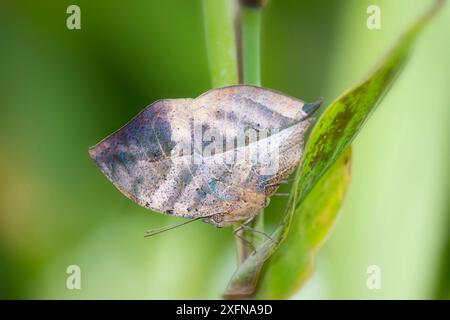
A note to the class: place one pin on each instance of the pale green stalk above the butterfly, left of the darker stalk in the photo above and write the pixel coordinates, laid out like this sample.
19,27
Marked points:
221,42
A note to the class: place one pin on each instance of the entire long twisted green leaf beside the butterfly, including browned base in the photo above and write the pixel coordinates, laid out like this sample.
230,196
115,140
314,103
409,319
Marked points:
288,256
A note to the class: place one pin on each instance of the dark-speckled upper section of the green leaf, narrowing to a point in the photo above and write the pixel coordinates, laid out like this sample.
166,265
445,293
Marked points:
343,119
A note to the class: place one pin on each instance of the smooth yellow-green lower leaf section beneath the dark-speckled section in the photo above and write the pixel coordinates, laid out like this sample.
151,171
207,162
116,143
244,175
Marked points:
312,221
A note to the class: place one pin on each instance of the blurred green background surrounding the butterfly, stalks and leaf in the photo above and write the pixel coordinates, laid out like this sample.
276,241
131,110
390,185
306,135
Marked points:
62,91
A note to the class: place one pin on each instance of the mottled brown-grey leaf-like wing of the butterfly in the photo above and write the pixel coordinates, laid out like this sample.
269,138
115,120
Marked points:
158,159
